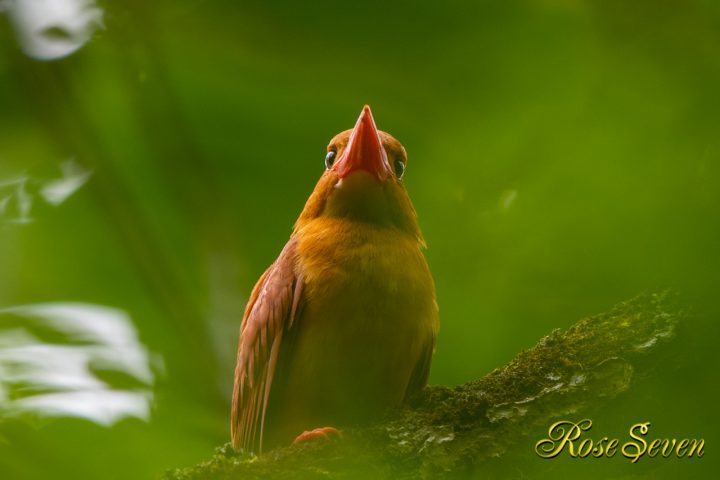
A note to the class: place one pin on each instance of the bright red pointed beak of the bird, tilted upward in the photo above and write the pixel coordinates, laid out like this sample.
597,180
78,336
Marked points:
364,150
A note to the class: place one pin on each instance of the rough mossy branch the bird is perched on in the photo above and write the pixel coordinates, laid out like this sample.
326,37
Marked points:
448,431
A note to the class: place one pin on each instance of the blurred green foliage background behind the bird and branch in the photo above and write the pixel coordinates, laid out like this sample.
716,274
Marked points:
564,155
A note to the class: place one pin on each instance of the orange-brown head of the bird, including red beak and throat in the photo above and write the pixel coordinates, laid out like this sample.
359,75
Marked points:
363,180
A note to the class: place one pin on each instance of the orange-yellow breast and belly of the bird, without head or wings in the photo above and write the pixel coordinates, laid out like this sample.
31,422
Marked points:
367,317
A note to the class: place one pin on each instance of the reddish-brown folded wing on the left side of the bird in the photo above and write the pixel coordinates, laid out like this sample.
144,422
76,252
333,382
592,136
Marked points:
269,313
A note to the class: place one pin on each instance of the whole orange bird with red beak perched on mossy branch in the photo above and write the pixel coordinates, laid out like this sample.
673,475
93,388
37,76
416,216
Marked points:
343,324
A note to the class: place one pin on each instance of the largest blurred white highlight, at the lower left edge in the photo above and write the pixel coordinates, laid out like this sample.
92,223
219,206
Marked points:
56,379
